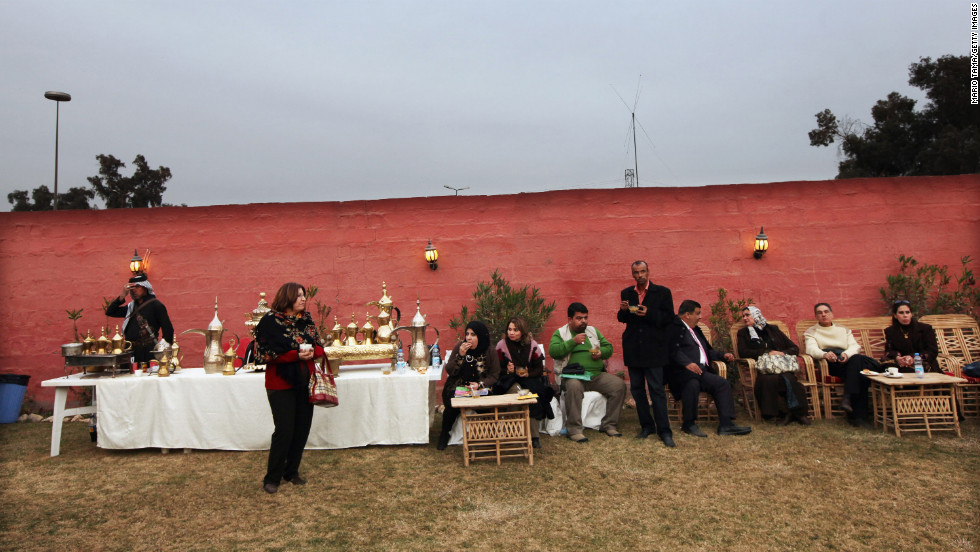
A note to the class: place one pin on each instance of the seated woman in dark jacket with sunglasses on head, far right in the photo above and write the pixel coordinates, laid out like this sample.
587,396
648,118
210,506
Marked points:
907,336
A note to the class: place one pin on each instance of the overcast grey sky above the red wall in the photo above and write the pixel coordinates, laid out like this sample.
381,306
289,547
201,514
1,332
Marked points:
254,102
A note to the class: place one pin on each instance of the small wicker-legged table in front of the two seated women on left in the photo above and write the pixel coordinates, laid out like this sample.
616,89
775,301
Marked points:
497,431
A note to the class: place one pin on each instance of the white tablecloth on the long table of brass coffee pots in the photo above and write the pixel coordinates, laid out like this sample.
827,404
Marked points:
210,411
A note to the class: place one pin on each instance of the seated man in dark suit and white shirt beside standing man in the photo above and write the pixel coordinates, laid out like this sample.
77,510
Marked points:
690,372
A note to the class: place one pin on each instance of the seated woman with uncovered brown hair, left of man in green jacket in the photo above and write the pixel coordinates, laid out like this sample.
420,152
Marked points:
522,367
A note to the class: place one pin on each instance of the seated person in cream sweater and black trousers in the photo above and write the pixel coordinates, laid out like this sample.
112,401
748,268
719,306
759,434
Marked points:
838,347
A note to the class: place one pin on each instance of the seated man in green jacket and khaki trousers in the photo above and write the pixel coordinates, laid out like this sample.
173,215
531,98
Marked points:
577,343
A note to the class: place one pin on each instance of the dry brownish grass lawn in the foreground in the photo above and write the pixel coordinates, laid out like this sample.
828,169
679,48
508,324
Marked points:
824,487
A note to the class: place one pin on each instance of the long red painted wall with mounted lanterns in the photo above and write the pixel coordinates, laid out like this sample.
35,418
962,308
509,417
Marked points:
830,241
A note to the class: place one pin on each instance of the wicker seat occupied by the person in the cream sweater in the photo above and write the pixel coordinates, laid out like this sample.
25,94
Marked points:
870,336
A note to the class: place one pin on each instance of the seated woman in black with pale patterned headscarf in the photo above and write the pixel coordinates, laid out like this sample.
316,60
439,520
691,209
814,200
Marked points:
778,393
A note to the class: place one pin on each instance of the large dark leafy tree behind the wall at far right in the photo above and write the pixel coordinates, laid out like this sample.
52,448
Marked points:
942,138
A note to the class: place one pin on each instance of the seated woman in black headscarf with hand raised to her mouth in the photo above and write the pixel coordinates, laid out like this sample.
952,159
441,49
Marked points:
471,364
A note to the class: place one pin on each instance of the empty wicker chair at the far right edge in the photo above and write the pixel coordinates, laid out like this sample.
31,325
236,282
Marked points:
958,336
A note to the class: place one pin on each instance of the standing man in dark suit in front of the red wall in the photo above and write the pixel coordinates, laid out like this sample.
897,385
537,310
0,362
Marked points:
646,309
